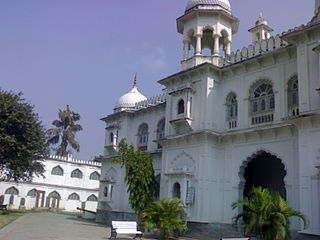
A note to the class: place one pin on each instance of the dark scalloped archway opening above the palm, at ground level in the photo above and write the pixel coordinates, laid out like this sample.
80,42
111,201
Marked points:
267,171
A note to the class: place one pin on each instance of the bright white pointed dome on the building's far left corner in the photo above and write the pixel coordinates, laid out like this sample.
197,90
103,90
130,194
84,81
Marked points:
129,99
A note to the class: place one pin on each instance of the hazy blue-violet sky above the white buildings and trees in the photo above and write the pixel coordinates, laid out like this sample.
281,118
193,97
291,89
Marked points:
85,52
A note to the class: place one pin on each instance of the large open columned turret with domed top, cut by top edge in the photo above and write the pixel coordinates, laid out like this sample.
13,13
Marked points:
207,27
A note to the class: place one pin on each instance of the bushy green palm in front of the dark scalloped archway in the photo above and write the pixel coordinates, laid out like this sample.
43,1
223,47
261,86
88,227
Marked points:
266,214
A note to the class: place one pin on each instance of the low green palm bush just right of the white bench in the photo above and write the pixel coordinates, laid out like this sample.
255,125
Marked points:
166,216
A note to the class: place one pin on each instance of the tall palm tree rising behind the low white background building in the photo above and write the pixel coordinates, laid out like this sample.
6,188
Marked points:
65,130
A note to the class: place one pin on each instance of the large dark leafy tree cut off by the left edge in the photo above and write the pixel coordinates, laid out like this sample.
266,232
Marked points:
22,138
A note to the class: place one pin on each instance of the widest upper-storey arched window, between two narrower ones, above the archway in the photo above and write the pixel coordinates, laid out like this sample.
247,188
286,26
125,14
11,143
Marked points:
262,103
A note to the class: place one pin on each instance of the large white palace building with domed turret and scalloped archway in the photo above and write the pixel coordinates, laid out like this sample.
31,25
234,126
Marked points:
227,121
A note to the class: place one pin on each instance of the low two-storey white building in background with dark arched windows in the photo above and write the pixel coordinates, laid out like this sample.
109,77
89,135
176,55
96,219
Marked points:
68,183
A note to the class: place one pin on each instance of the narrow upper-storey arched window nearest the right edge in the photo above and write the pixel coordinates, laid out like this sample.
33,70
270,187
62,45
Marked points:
293,96
